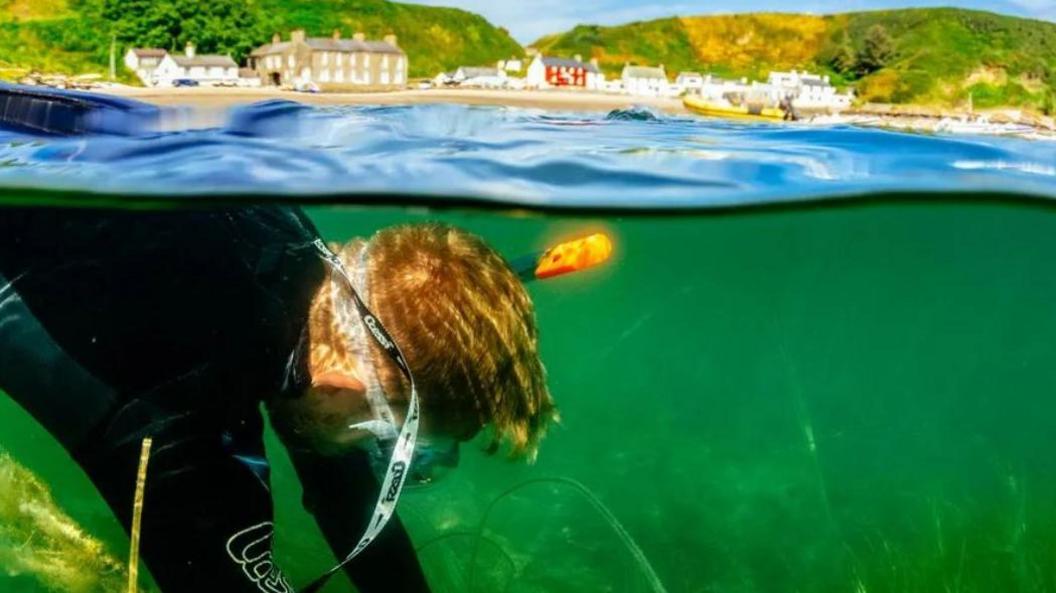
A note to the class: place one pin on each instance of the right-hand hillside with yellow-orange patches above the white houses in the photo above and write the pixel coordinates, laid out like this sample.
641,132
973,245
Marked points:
936,56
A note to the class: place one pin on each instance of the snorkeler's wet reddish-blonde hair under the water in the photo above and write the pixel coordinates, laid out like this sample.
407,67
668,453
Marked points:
467,327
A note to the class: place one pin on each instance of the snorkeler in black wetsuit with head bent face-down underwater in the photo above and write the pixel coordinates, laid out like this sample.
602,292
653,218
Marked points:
117,326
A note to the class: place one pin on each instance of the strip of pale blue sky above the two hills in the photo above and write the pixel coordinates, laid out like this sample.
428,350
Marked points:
531,20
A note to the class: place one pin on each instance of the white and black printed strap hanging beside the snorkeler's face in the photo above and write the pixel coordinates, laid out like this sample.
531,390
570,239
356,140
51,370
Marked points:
392,486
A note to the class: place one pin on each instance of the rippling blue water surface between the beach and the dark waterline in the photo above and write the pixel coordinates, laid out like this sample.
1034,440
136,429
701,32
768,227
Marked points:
627,159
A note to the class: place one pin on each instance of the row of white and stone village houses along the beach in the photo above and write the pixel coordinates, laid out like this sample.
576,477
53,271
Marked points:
340,64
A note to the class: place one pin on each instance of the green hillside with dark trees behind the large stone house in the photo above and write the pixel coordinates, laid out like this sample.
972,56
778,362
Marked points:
74,36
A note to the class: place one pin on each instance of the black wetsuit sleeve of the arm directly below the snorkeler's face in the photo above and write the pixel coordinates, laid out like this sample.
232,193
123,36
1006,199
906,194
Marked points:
341,493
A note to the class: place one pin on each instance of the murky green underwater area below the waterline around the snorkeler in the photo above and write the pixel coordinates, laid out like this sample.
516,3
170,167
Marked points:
840,399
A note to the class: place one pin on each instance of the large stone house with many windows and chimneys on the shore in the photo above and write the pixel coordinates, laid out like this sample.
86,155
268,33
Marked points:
331,62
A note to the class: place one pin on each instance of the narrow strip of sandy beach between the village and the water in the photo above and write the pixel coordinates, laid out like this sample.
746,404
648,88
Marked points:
567,101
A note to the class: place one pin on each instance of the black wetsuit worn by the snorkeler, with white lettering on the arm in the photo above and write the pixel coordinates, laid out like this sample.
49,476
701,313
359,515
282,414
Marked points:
117,326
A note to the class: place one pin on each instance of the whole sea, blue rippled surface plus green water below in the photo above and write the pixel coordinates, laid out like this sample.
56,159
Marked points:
821,359
